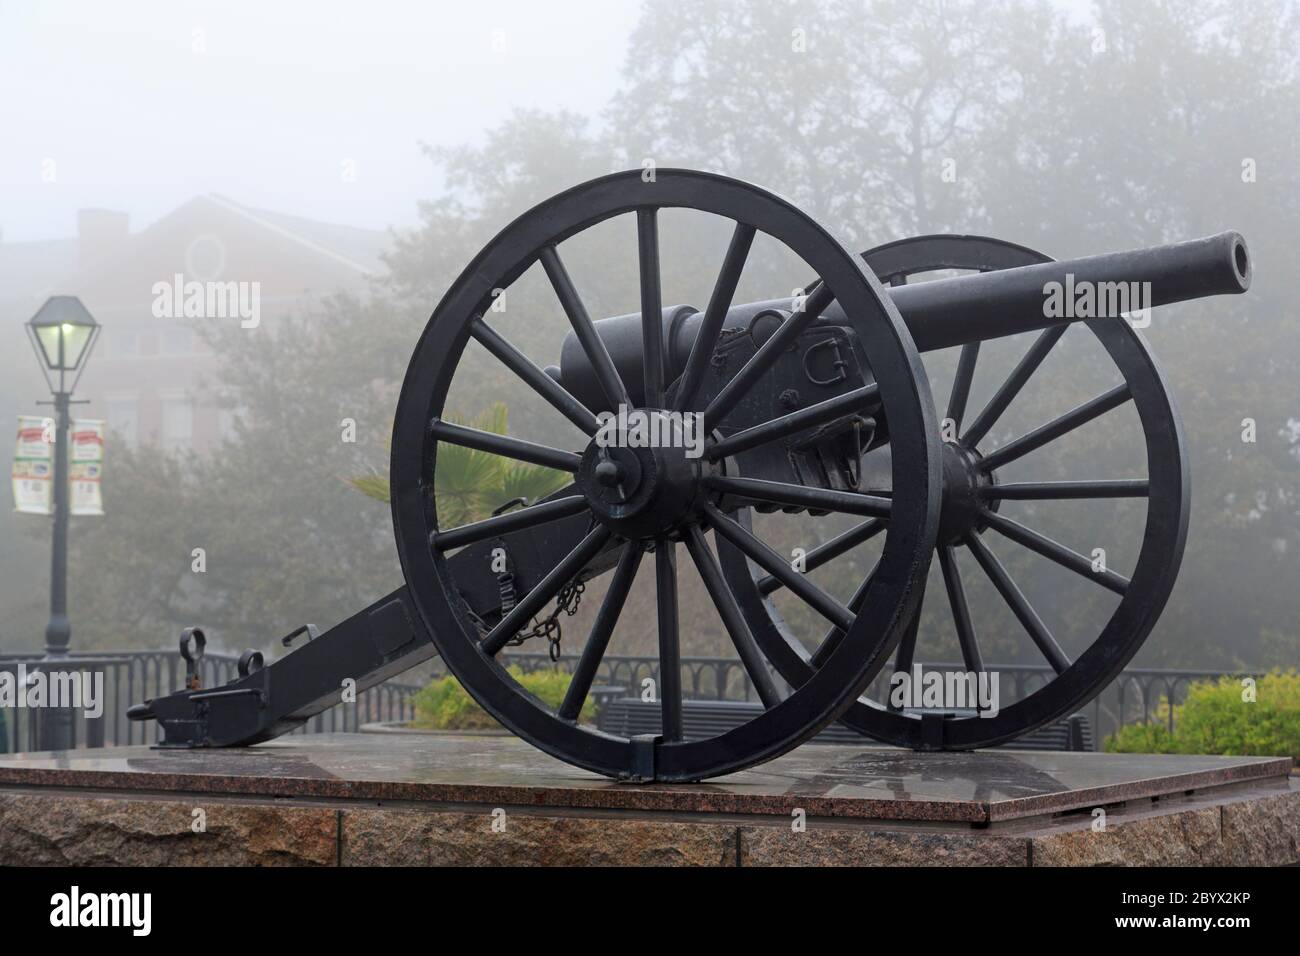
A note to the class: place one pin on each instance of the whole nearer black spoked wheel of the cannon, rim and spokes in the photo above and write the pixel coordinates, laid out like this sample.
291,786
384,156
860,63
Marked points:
652,500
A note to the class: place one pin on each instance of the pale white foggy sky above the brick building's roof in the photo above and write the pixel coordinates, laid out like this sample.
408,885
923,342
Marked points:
146,105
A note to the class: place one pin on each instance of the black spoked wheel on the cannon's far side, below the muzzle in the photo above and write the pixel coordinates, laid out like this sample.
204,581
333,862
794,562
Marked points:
973,494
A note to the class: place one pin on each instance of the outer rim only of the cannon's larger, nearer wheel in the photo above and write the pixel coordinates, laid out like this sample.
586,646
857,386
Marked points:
904,391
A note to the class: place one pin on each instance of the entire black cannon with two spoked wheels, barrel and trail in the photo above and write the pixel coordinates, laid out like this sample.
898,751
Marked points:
695,422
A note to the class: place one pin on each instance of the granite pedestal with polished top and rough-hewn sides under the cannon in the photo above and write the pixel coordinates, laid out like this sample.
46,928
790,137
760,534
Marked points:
350,799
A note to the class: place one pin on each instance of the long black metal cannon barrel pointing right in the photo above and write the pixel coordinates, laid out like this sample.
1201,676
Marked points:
948,313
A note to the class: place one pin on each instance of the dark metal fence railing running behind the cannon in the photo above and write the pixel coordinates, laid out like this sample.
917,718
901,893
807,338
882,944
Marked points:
137,676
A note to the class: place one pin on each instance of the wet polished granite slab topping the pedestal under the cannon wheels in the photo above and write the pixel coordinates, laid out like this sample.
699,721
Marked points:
866,784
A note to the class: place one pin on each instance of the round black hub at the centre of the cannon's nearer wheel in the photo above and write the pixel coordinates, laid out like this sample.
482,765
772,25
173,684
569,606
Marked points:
640,479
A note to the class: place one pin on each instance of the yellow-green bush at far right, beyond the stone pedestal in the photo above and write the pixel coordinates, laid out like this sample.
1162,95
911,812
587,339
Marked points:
1216,719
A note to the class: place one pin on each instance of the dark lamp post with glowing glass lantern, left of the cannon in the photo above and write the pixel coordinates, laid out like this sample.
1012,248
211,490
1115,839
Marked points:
63,335
